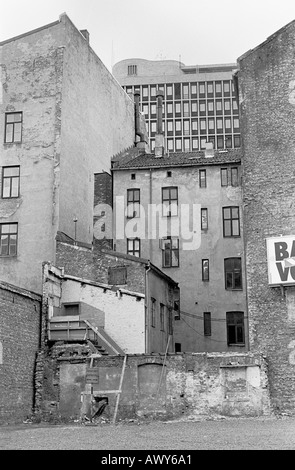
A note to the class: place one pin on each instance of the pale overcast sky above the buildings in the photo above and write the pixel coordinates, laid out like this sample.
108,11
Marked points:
197,32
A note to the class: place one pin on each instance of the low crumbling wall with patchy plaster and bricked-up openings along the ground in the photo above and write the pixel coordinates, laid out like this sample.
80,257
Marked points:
191,385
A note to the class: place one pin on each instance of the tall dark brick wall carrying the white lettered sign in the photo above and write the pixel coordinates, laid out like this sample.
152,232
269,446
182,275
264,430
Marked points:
267,107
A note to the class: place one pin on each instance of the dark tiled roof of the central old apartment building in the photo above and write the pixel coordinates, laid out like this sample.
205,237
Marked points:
181,159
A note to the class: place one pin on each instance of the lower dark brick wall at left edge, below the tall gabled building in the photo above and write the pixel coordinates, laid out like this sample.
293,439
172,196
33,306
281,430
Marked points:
20,338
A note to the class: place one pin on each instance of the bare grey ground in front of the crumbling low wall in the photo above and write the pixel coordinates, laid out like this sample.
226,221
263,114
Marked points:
220,434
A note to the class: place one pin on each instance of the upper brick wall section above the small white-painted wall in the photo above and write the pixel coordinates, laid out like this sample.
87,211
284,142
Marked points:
94,265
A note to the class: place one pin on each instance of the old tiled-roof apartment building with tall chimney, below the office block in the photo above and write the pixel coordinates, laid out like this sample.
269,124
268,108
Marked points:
195,236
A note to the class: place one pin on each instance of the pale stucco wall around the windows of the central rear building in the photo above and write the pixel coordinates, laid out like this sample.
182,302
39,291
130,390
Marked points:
197,296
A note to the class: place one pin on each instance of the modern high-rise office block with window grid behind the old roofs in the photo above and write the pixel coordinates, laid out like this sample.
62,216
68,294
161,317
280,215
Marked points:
200,102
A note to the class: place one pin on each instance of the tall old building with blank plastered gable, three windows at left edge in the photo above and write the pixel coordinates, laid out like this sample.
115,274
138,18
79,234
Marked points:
62,117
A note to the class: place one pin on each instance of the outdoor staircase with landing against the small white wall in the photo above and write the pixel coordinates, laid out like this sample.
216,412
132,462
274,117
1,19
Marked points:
73,328
